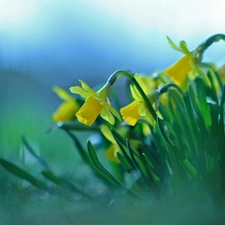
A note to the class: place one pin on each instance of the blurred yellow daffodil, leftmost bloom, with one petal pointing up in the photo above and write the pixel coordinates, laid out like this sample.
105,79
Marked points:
66,111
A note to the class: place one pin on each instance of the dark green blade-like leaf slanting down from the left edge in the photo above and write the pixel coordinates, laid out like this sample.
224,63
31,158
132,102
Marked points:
16,170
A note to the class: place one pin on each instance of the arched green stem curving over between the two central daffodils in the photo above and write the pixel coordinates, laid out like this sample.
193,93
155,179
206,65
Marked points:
117,74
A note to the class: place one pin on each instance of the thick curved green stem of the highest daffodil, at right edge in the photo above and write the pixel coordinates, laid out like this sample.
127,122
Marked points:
198,52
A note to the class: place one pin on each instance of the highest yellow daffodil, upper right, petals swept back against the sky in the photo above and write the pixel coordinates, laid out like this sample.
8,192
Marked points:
179,70
